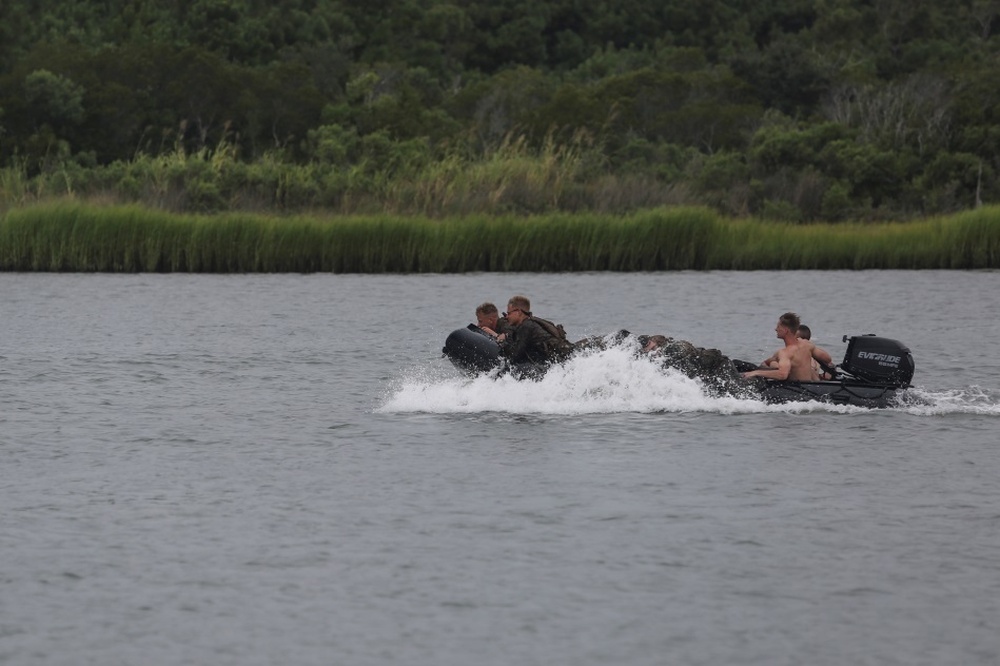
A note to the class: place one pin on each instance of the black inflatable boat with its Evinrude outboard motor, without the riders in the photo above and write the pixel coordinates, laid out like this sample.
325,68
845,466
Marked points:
874,373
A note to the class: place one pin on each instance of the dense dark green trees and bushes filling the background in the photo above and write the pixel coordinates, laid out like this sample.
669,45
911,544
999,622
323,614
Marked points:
795,109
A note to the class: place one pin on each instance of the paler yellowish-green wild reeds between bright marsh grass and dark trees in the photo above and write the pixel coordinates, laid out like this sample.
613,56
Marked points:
513,177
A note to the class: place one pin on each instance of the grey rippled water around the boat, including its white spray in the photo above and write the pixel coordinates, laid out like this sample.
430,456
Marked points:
282,470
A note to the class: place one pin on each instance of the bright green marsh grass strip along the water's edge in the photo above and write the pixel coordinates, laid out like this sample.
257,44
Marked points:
72,236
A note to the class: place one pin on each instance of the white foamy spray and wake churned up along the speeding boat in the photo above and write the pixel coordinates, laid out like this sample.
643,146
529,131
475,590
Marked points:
615,380
